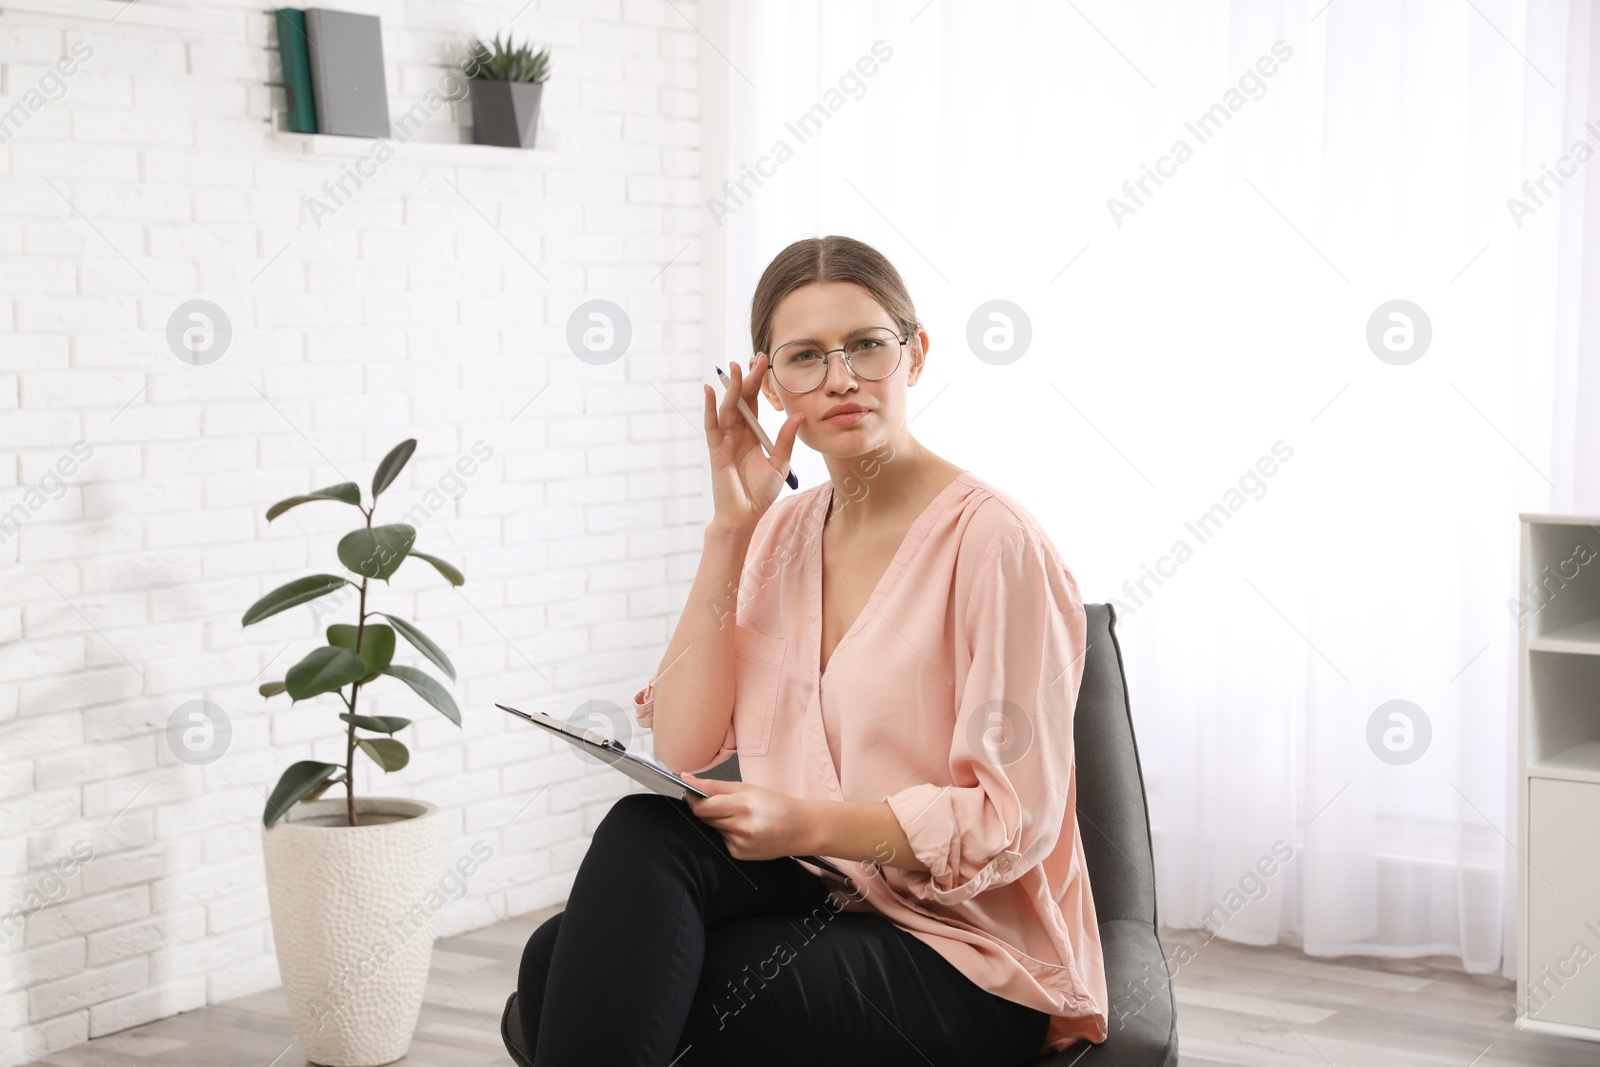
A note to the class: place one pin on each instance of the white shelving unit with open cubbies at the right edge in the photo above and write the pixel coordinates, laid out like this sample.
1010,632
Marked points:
1559,777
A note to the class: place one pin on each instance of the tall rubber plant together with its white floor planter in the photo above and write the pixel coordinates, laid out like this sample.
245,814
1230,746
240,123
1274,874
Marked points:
351,881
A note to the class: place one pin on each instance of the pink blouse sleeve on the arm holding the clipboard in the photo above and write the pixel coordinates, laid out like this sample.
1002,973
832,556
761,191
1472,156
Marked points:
1010,761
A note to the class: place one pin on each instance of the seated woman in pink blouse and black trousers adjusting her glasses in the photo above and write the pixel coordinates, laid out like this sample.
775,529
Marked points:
895,657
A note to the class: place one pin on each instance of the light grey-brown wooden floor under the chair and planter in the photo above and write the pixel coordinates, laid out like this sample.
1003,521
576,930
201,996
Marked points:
1238,1007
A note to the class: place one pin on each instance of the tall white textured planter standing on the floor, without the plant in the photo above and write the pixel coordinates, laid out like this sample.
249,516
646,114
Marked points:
353,917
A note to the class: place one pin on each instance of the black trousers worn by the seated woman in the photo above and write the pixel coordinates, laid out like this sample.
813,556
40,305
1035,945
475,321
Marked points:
674,953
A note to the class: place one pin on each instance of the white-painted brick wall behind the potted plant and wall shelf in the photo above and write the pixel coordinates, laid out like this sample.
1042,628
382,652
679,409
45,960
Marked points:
433,305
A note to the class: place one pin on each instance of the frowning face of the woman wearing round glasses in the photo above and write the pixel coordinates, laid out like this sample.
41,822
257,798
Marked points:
830,314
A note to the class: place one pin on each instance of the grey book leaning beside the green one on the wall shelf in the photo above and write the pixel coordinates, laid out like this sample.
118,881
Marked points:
348,73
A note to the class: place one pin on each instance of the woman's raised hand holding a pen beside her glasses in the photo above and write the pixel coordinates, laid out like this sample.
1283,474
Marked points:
745,481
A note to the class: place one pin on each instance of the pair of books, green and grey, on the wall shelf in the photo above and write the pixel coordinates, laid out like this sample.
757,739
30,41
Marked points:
334,73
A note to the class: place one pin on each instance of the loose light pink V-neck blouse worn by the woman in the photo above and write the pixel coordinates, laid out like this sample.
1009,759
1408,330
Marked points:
951,698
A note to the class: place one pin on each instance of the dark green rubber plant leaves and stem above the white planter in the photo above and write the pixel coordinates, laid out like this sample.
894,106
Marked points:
356,655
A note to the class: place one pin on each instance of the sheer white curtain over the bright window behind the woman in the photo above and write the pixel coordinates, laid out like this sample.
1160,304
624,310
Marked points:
1300,495
